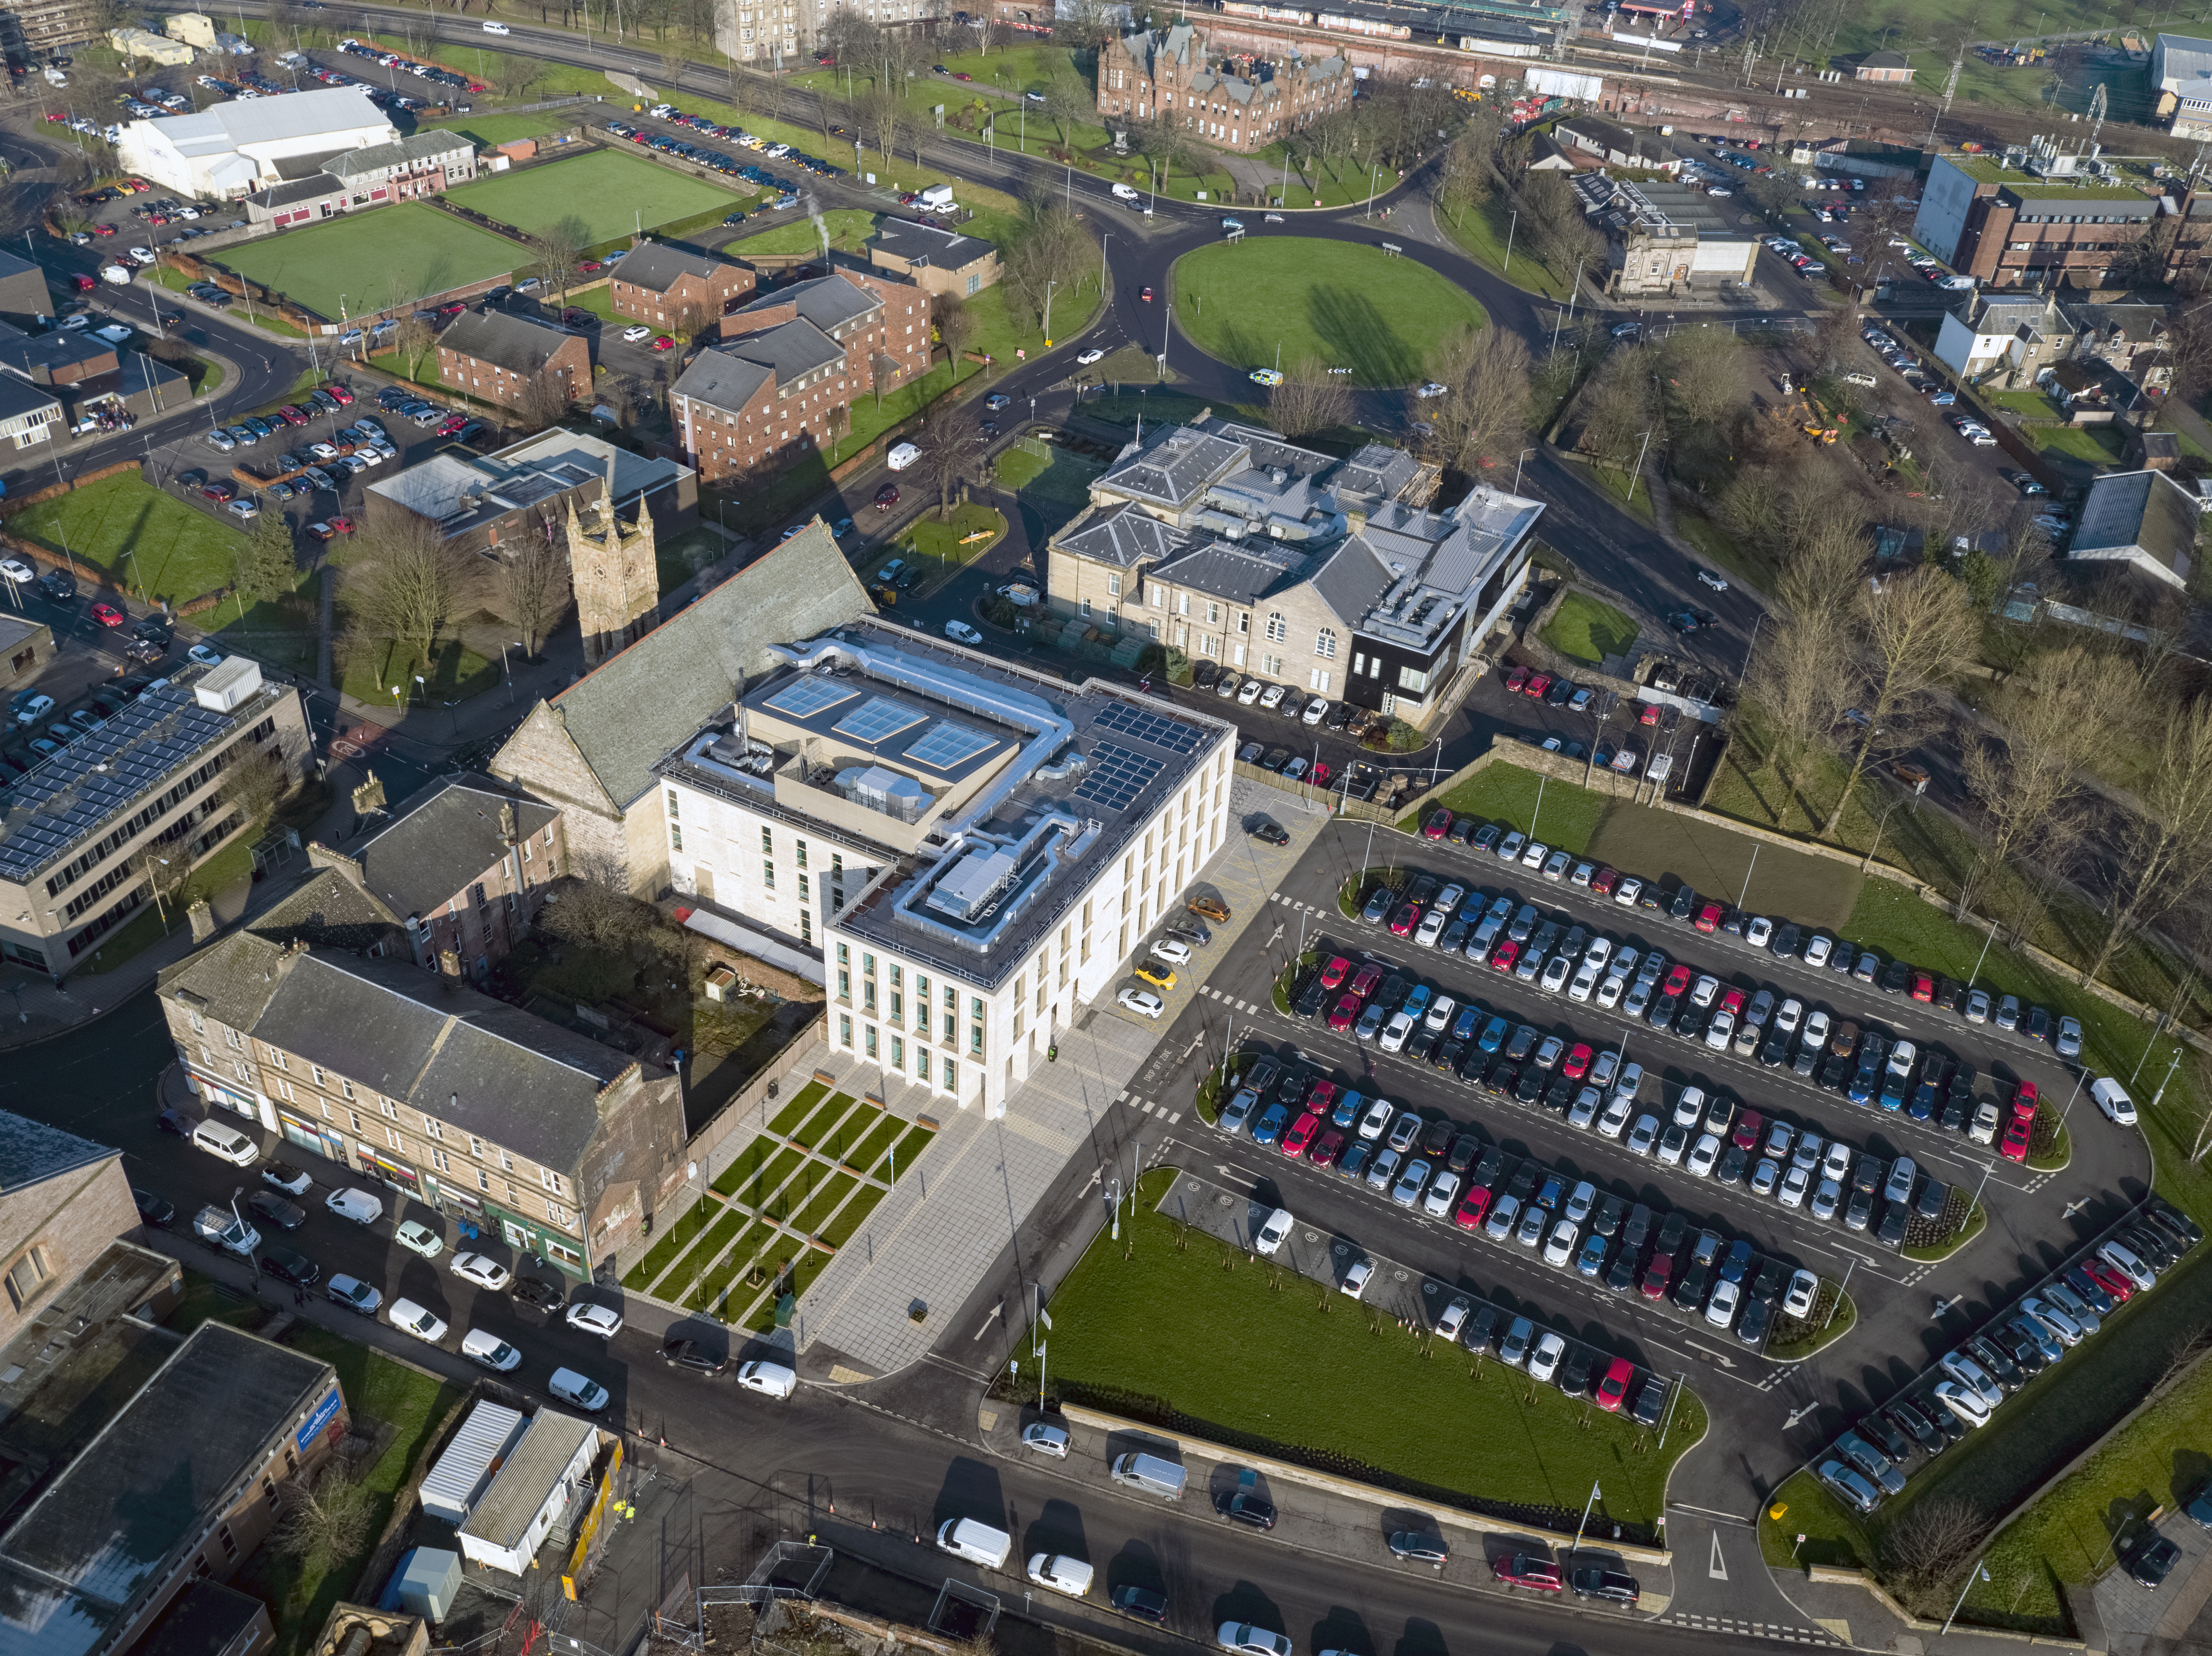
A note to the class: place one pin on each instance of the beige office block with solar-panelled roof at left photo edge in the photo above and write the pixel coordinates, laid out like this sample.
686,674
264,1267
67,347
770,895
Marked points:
149,779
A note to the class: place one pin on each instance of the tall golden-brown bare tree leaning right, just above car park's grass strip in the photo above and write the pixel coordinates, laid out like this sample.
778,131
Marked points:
1914,636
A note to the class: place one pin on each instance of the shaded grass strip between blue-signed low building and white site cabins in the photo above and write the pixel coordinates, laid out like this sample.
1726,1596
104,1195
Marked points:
377,1390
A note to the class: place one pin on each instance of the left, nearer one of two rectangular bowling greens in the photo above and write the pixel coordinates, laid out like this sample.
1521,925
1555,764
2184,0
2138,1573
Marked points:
368,262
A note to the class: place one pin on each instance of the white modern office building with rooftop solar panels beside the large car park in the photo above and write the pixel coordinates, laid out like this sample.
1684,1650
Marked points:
974,848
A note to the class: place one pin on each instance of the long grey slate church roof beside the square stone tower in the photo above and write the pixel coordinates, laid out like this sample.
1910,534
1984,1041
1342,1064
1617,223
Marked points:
645,702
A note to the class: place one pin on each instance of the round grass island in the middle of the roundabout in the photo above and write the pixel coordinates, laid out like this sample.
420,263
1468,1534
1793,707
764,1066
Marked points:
1333,302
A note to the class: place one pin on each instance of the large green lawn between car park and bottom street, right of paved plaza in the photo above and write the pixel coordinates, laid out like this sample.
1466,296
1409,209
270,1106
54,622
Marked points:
1162,1330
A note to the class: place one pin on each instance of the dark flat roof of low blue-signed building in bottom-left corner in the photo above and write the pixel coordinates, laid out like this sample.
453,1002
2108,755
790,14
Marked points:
149,1487
